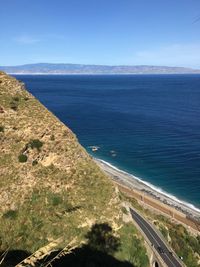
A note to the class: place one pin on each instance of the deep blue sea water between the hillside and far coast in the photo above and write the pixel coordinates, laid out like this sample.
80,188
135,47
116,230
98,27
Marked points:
146,125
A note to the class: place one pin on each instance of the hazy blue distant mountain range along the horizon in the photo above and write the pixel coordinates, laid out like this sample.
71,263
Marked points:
62,68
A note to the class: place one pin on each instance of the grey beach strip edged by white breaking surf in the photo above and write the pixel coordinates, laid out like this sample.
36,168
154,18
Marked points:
147,190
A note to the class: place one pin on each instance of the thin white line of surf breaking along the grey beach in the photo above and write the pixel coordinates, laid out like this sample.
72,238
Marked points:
155,188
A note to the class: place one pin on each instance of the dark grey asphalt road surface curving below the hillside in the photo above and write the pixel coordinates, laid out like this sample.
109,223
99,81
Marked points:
155,240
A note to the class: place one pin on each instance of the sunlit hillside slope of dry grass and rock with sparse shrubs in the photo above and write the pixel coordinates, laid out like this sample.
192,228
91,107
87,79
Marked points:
49,186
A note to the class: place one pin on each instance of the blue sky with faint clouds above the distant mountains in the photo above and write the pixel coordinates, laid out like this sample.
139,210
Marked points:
113,32
